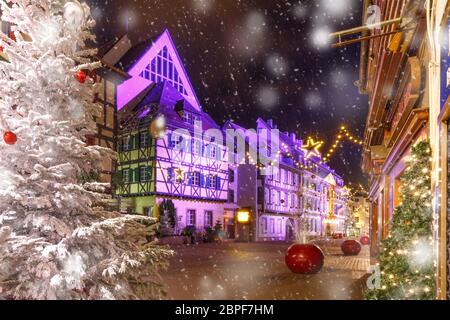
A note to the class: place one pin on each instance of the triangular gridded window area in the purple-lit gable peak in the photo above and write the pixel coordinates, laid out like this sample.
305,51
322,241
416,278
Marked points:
162,69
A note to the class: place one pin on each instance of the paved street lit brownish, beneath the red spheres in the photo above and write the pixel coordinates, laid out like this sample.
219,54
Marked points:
257,271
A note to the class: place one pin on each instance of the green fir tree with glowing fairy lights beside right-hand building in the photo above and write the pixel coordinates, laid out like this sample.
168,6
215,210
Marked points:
406,256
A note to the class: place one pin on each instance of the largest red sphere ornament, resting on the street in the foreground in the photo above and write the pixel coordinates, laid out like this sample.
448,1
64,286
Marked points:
304,258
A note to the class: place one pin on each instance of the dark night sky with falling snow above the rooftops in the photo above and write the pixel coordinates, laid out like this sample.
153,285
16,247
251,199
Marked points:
260,58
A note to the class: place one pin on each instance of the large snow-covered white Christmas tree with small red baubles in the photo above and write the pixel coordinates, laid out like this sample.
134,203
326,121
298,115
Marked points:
54,242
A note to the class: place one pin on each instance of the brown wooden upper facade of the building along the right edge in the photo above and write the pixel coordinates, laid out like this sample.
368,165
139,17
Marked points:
393,75
